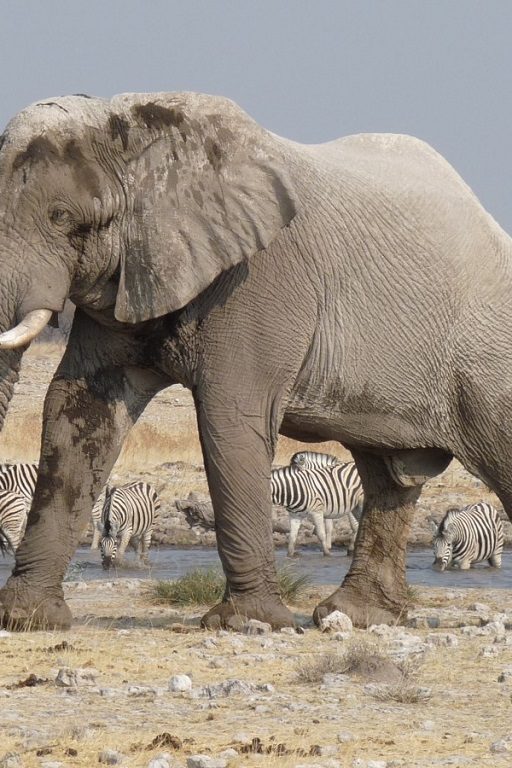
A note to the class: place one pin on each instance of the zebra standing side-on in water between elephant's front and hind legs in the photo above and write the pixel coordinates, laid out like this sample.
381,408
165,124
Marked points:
324,493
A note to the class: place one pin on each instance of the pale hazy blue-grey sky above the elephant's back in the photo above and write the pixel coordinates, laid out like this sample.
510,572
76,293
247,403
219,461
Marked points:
310,70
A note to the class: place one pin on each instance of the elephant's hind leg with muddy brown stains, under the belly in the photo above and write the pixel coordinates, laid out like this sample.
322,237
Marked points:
374,590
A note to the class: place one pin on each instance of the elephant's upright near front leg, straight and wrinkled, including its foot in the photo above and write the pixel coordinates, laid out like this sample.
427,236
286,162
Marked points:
237,453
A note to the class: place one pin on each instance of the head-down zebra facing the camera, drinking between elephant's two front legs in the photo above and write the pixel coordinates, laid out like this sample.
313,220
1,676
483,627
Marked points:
129,512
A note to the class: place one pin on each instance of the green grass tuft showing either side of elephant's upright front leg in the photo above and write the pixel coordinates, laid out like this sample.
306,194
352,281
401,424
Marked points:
206,587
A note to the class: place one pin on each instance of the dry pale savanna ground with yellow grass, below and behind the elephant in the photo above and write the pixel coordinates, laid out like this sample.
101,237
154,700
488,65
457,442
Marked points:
437,692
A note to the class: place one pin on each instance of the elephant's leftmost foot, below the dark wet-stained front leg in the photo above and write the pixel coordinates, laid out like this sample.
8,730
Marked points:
23,609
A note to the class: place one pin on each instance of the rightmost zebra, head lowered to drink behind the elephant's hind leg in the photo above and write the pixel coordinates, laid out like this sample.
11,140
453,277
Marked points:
468,535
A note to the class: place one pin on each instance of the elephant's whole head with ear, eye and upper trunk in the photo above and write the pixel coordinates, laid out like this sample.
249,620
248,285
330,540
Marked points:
130,207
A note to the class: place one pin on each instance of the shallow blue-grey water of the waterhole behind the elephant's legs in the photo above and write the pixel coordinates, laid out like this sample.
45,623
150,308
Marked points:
171,563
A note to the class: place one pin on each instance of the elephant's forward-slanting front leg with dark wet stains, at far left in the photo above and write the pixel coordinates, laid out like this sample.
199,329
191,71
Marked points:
94,398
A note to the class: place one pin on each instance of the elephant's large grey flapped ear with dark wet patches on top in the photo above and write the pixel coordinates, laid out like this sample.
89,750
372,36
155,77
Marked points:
209,189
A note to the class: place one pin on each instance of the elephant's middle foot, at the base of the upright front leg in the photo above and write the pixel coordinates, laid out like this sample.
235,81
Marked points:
236,611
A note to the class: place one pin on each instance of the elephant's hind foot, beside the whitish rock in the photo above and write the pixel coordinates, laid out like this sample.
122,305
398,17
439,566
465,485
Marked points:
360,608
